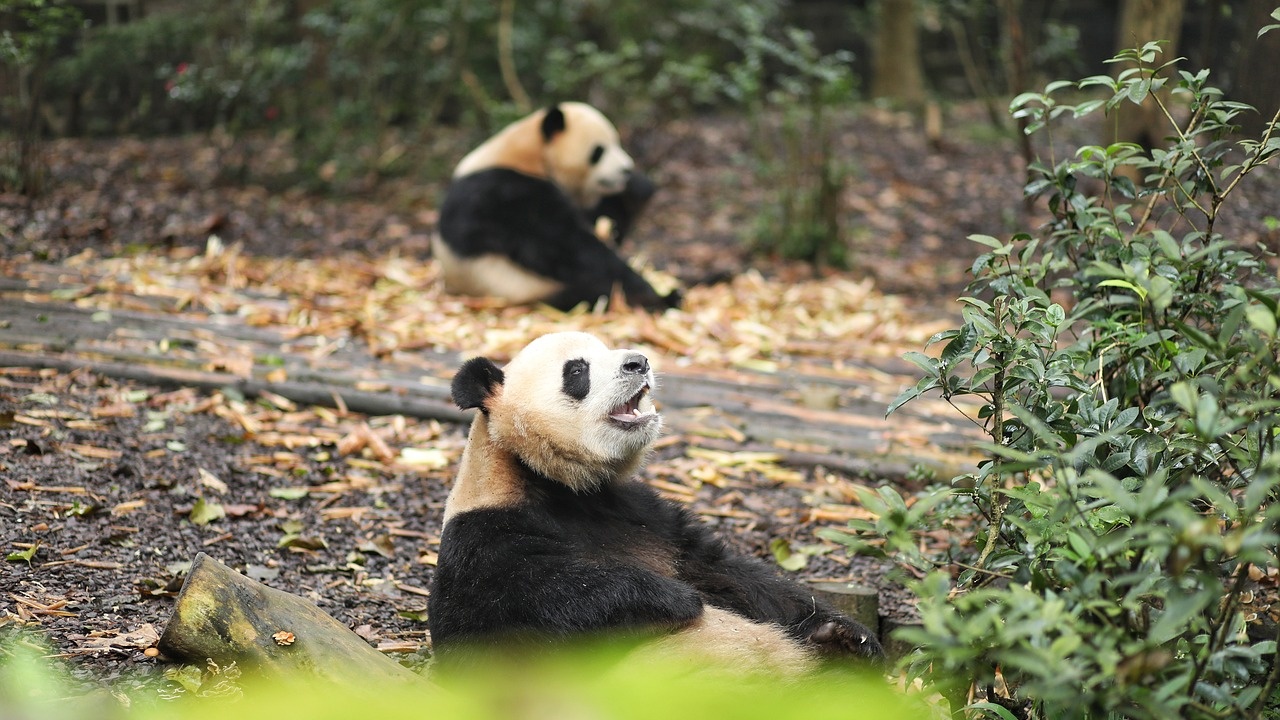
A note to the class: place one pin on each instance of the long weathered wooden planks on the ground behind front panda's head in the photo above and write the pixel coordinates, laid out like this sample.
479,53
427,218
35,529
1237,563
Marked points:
217,353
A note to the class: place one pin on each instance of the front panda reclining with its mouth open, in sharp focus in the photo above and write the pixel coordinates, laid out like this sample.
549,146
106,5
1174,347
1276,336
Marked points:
548,537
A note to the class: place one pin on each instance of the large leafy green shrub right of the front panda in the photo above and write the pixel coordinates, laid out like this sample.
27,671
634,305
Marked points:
1124,363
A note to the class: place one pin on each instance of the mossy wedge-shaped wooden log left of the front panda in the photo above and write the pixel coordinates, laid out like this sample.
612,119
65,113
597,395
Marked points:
225,617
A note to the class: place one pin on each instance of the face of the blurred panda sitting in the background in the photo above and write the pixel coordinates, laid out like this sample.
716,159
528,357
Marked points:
587,160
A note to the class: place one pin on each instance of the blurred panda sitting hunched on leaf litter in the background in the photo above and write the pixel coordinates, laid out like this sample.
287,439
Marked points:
519,218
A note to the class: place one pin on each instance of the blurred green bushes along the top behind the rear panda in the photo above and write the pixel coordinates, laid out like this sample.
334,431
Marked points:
344,74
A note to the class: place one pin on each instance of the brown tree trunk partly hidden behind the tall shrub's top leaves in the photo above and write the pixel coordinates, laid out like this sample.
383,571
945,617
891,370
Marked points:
1141,22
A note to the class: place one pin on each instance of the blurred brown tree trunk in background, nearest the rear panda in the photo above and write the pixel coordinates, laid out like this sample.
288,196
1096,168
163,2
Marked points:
897,67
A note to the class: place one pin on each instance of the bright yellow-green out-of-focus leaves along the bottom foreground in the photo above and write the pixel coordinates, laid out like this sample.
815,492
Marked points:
575,685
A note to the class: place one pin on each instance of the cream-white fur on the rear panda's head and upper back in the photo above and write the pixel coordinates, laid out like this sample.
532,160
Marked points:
565,160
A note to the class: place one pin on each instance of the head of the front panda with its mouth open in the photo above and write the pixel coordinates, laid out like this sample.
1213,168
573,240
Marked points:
568,407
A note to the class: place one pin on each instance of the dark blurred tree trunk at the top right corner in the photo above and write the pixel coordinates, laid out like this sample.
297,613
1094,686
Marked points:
1259,60
